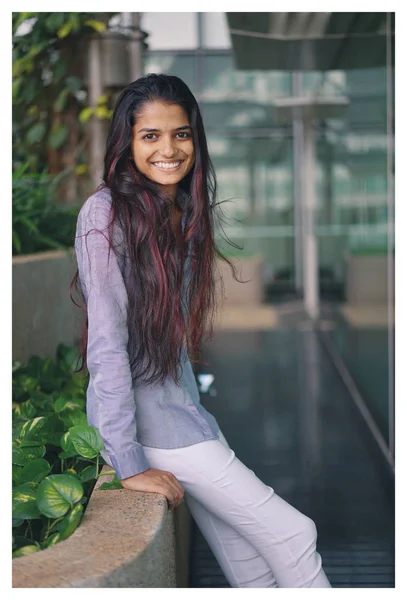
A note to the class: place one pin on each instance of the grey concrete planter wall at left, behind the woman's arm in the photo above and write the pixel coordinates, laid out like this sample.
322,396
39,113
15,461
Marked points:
43,313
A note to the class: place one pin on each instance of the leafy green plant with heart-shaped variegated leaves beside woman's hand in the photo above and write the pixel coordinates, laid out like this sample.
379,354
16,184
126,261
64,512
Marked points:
55,453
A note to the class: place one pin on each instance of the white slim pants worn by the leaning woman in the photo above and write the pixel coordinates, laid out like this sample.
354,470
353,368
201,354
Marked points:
258,539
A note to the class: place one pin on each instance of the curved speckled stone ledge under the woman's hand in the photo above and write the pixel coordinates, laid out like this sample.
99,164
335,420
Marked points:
125,539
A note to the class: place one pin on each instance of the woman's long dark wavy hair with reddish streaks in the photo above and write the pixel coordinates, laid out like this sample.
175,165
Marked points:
157,323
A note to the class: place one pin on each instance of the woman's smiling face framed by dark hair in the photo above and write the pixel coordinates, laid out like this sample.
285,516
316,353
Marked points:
162,144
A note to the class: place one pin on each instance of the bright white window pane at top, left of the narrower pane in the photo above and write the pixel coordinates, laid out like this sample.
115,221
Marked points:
170,31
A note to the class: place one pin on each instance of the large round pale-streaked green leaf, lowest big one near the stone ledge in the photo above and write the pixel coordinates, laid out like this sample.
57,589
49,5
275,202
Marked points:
56,494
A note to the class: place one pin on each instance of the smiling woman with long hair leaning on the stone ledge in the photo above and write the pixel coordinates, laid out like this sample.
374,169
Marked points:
145,250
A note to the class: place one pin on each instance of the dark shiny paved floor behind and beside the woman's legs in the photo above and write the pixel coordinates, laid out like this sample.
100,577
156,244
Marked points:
287,415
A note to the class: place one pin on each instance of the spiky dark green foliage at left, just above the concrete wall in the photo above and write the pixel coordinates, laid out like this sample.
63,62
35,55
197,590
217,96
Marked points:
39,223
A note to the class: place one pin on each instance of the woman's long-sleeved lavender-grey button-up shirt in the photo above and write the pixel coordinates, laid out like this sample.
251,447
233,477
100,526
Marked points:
129,414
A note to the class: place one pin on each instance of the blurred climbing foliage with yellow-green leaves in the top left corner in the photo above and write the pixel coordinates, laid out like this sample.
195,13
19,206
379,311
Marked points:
48,90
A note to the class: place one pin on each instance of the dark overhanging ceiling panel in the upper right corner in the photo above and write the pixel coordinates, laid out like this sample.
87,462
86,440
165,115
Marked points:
310,41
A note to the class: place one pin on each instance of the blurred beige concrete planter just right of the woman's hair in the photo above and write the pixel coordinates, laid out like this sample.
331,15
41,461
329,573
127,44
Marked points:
243,294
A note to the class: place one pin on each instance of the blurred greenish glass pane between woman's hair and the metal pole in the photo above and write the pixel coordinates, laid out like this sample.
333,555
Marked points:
254,175
